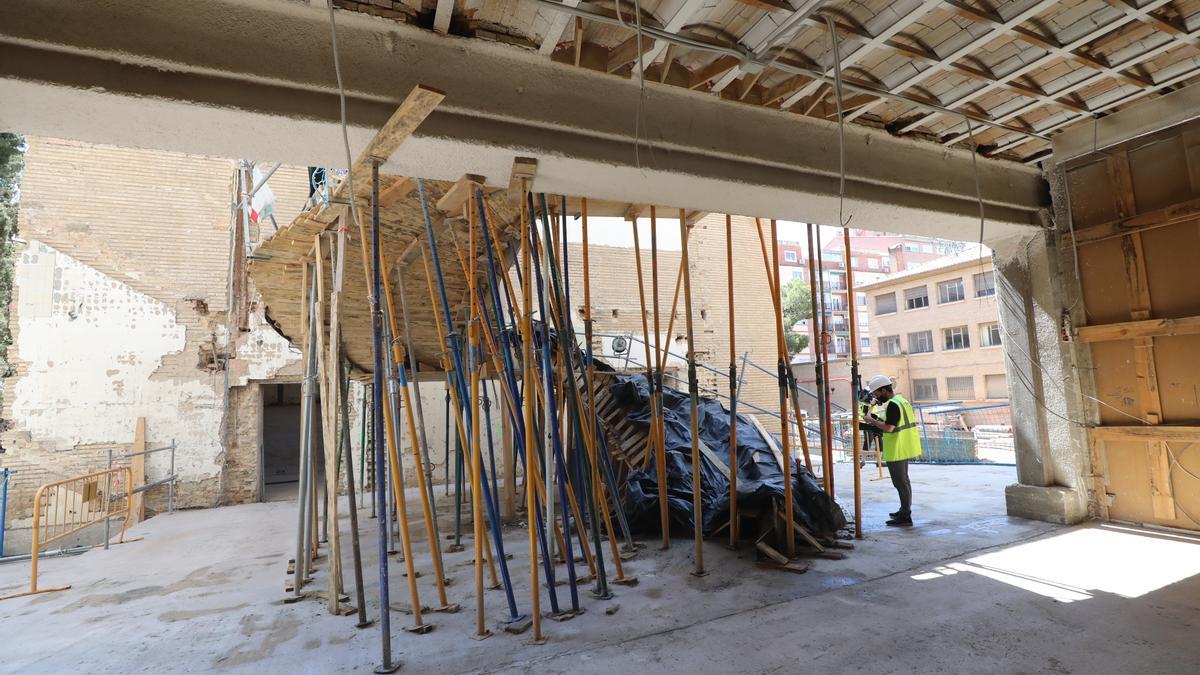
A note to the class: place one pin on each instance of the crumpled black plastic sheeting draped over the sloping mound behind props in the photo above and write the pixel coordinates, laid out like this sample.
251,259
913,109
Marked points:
760,477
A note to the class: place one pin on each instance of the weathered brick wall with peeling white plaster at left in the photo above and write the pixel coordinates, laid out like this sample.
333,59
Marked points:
121,301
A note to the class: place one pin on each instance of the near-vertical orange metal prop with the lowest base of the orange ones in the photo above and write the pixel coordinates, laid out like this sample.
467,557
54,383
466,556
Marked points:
530,377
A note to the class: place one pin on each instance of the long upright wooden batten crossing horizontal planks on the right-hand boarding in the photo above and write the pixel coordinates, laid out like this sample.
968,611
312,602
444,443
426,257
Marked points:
1141,309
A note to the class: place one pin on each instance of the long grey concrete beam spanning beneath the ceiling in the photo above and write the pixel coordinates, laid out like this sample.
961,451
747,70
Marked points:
255,79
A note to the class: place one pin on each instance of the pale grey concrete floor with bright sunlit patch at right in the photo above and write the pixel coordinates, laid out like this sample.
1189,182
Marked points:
965,590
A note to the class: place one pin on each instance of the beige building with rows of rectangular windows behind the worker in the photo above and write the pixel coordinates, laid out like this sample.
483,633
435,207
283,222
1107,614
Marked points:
935,328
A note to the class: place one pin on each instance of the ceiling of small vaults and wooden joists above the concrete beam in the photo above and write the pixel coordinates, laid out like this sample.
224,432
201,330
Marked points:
999,75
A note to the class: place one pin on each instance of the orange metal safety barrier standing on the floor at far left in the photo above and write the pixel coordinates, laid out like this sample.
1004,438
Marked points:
70,506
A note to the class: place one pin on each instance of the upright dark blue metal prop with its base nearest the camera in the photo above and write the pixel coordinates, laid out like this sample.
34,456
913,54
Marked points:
387,666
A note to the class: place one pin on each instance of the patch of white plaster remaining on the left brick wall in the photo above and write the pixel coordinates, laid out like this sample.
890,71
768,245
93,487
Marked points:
91,348
